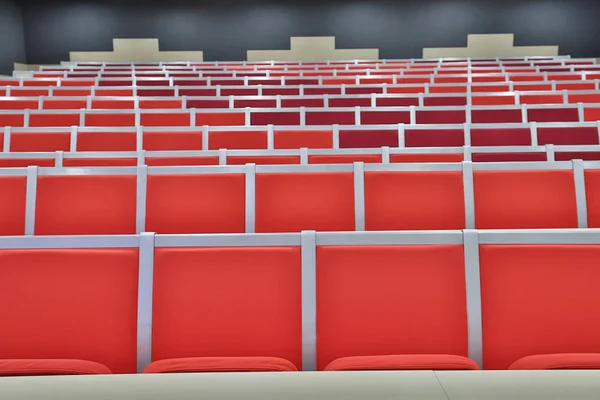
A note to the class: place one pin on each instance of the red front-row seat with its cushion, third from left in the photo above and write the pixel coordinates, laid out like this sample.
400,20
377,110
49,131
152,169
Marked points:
360,287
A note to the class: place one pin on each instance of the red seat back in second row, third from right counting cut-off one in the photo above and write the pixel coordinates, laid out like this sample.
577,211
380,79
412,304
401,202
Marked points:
435,200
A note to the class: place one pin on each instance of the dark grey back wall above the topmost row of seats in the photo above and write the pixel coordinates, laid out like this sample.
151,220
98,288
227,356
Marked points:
225,29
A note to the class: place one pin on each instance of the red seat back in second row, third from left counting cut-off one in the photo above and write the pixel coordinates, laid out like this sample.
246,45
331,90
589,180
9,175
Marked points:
201,203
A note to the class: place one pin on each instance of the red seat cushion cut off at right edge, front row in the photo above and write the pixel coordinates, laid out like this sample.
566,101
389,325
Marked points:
559,361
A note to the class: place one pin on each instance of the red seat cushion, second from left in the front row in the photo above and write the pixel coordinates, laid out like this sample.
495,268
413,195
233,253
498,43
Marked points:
220,364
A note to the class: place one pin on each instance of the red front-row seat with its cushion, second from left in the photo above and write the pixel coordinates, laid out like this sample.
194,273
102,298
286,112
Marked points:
245,310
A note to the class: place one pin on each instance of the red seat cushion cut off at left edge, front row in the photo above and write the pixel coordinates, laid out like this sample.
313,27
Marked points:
22,367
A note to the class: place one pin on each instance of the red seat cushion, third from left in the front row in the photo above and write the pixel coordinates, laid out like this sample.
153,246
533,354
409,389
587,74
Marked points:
402,362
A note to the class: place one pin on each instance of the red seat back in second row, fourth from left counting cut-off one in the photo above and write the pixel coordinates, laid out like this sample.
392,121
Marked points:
296,201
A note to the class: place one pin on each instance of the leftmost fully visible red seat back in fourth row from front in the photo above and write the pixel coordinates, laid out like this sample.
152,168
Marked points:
31,141
